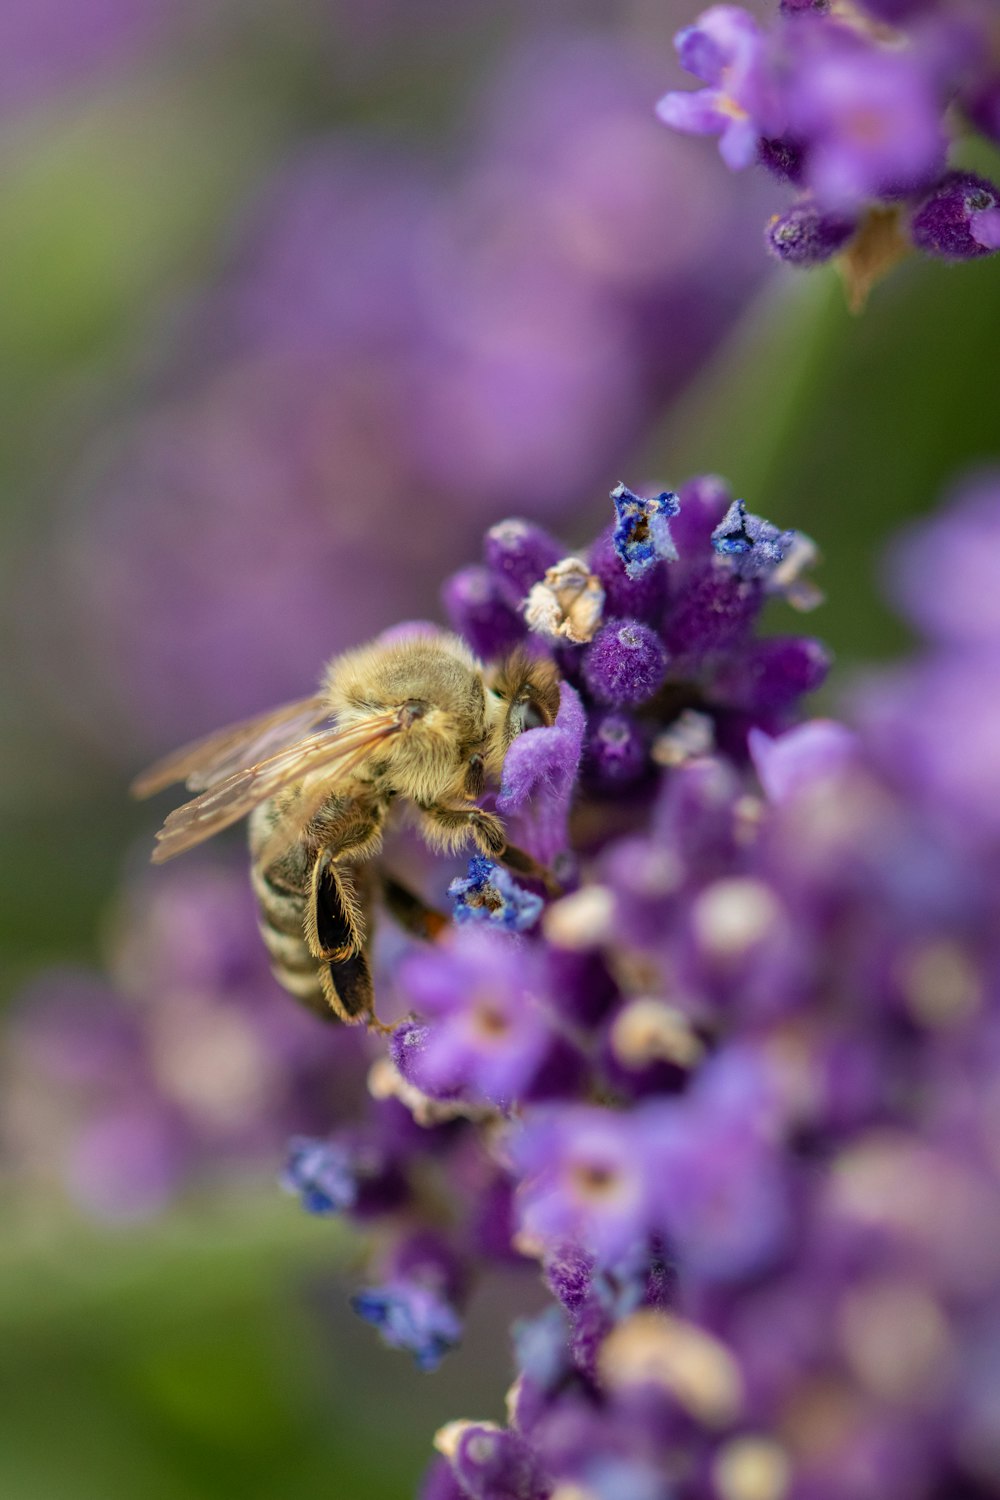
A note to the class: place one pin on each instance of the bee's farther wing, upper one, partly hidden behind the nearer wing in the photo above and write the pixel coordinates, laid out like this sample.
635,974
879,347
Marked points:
221,755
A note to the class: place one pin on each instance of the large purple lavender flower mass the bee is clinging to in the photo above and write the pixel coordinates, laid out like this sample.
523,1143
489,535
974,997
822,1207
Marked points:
735,1091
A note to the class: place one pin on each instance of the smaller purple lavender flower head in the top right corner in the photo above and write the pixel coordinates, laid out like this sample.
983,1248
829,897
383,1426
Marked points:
854,106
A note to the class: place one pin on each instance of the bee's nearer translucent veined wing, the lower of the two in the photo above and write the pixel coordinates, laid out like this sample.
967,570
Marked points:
332,754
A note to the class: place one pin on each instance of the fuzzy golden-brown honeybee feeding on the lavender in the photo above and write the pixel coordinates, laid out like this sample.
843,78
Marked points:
415,719
